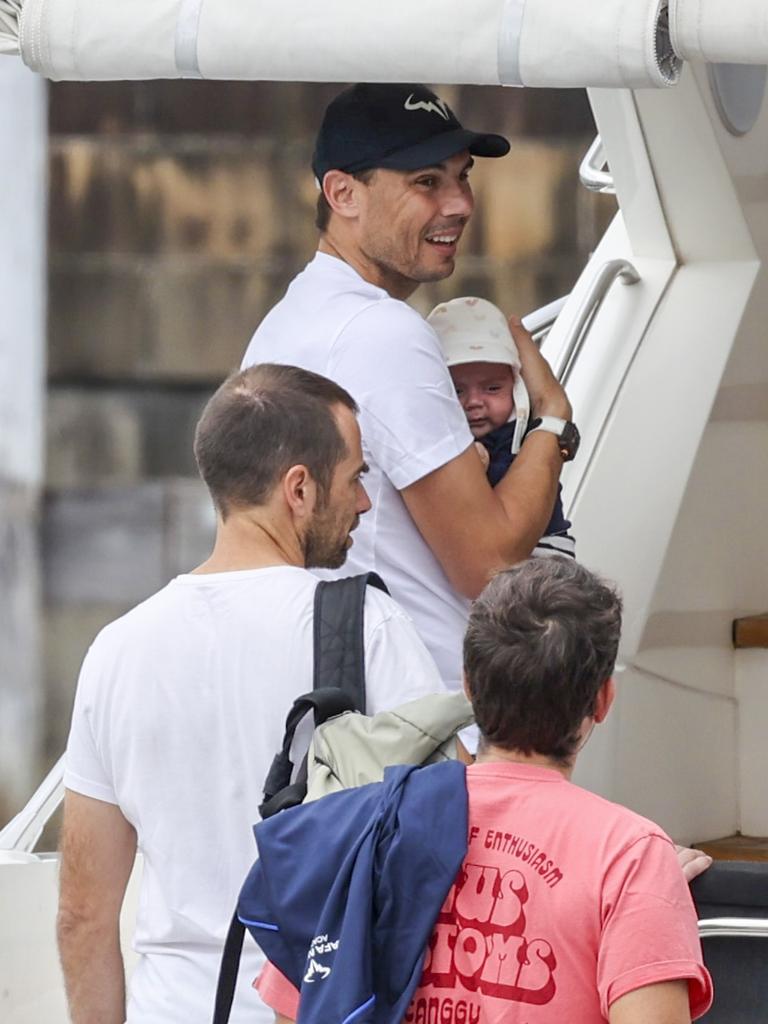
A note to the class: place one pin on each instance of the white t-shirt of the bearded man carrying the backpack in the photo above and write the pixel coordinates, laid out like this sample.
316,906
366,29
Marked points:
180,710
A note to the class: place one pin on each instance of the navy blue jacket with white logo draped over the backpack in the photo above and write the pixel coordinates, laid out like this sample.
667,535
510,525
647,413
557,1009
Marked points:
347,891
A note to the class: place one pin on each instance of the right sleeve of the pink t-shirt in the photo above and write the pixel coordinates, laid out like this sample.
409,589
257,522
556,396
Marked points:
650,931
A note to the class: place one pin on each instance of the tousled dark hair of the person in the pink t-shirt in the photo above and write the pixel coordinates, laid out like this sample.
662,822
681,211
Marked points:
542,641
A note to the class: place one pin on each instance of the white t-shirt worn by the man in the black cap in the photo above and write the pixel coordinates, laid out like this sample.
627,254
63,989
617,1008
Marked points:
389,358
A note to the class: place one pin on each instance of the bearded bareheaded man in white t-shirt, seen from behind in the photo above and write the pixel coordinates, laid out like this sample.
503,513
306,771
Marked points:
182,703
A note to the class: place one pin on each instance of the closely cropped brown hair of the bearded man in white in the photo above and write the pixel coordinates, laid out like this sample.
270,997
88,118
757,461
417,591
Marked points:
262,422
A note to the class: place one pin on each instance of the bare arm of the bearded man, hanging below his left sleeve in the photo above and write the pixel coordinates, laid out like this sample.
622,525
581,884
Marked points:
99,847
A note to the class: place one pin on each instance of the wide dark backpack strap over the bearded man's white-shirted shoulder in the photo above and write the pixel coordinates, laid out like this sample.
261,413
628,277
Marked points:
339,648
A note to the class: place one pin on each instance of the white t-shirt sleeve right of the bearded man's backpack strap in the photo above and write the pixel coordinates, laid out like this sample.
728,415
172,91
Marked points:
399,667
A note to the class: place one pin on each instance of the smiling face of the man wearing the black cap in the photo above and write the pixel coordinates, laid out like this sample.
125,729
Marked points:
411,222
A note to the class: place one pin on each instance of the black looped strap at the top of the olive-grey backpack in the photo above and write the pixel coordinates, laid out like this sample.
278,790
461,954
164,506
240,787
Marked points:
279,791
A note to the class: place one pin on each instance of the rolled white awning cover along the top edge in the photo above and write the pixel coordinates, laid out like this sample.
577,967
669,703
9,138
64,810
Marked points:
546,44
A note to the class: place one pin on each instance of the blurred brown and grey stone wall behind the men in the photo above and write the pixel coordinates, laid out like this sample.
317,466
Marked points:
179,211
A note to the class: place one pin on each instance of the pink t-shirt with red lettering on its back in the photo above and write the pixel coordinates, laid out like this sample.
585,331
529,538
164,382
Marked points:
565,904
